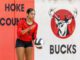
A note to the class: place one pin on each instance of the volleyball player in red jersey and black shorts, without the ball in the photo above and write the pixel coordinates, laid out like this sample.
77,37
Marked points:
26,32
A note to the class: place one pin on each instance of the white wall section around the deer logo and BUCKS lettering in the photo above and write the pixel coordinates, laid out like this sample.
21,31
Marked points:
44,30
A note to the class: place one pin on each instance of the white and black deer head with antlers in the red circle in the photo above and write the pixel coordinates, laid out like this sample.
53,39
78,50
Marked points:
62,25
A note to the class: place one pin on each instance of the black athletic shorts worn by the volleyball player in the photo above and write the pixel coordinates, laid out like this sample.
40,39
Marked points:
20,43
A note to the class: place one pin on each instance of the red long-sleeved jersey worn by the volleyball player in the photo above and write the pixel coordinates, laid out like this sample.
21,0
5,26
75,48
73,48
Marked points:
28,36
